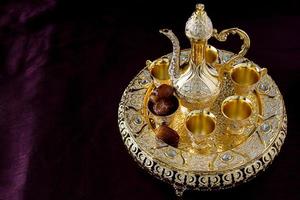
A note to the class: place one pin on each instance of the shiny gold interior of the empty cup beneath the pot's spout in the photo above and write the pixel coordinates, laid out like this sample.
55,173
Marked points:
160,69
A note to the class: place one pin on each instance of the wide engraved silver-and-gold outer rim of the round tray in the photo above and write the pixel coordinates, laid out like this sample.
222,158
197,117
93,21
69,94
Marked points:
244,163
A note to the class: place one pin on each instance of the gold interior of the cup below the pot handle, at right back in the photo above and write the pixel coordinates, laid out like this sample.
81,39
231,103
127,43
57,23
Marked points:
245,75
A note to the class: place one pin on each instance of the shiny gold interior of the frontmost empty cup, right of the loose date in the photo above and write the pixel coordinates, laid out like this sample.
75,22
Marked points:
201,124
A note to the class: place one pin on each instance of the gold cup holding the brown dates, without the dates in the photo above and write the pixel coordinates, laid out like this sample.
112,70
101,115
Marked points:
163,119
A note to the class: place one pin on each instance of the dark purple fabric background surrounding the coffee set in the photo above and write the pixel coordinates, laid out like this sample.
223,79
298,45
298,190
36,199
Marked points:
64,66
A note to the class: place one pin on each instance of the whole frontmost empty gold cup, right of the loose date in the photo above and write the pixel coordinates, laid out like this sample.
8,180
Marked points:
200,125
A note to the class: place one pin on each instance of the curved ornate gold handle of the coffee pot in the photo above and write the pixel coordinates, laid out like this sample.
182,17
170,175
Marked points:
222,37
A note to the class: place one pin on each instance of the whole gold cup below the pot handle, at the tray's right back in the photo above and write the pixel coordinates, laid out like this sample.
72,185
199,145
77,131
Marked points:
245,77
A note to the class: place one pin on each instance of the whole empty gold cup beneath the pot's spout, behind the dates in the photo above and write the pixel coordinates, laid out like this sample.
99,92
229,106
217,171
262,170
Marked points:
159,70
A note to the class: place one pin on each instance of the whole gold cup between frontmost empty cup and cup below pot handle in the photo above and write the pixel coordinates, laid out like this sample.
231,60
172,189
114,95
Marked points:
237,111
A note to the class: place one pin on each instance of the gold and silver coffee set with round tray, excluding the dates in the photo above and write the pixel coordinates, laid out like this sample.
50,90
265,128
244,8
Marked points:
230,119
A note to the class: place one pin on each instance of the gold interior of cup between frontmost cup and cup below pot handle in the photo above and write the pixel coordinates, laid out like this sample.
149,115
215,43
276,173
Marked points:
237,108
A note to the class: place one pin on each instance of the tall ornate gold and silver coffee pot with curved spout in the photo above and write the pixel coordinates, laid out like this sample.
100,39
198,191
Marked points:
198,83
